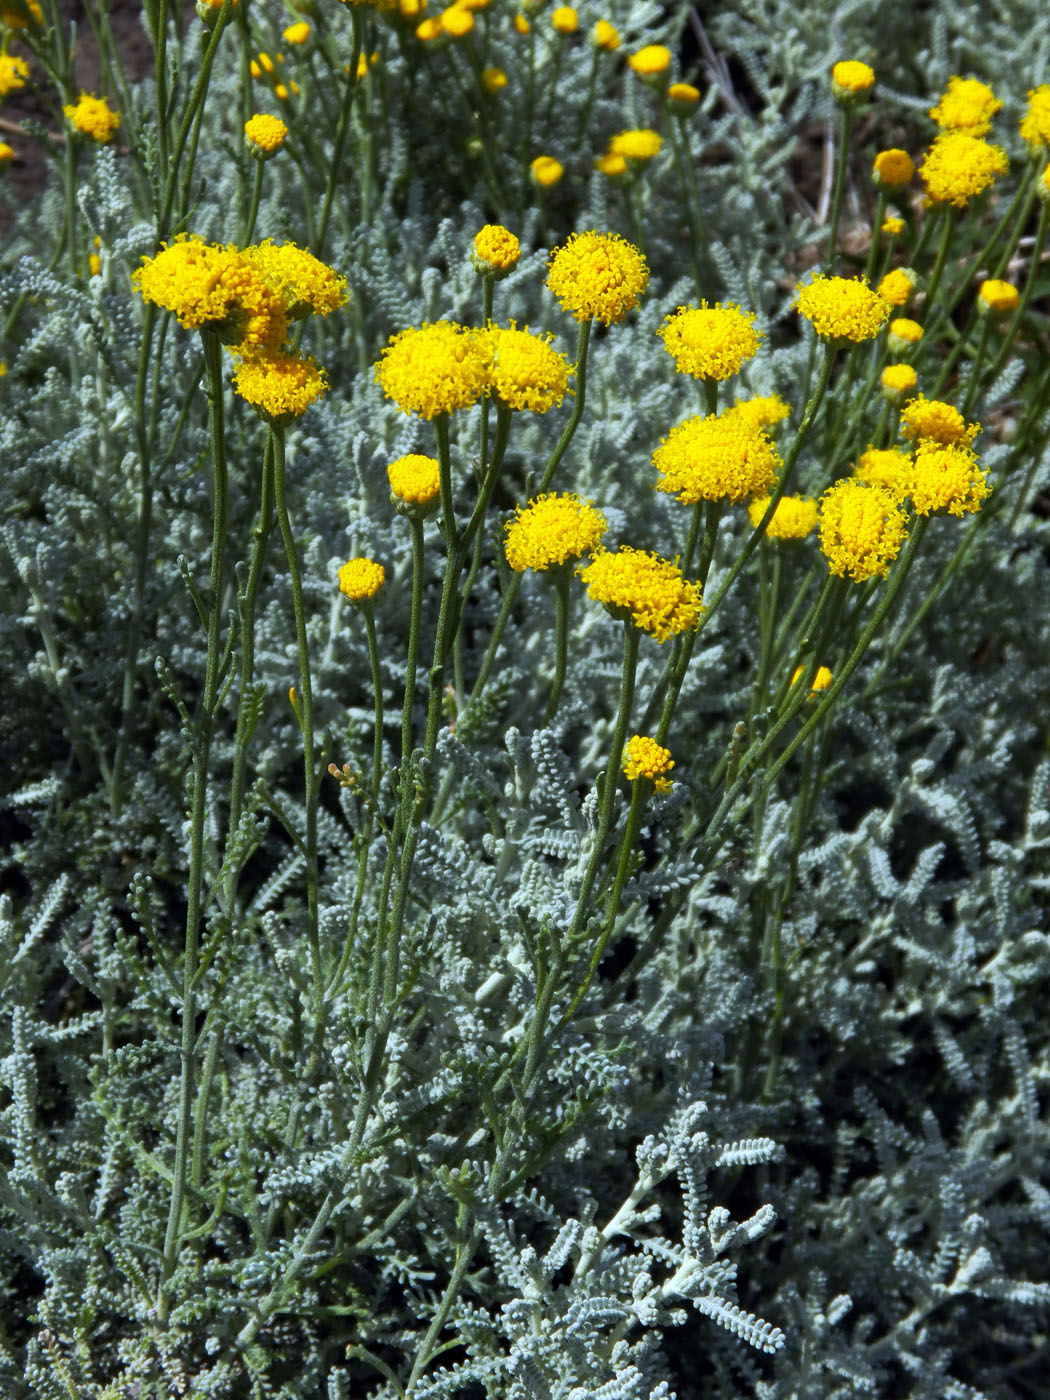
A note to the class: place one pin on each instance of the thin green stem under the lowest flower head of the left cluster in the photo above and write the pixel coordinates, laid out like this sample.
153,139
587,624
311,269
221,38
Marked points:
310,761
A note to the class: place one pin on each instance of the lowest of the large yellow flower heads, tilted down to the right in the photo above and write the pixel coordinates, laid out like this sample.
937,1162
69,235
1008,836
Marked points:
647,590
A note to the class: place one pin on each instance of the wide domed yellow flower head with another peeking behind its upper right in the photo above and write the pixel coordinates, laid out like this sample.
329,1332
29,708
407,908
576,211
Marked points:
716,458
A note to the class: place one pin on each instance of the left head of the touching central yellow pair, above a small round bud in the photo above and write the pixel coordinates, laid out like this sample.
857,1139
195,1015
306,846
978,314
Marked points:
433,369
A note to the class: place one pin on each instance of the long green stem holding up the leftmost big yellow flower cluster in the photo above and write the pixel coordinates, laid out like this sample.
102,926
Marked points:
202,752
